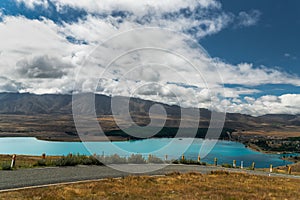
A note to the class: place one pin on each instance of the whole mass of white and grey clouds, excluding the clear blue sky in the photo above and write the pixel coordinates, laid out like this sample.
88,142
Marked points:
37,56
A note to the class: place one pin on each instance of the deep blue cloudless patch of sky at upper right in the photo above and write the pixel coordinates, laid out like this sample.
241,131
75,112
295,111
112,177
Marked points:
273,41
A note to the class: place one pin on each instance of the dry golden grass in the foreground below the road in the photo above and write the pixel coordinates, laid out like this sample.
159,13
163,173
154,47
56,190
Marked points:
218,185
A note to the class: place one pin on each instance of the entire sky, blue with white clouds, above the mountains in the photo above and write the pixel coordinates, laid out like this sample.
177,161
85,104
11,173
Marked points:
241,56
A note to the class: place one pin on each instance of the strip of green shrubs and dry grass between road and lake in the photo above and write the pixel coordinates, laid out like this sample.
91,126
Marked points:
74,160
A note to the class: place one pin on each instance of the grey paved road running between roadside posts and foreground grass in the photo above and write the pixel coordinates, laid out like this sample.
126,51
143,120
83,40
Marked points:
43,176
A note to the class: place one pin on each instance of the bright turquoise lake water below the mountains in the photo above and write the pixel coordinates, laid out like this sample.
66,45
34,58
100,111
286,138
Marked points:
225,151
